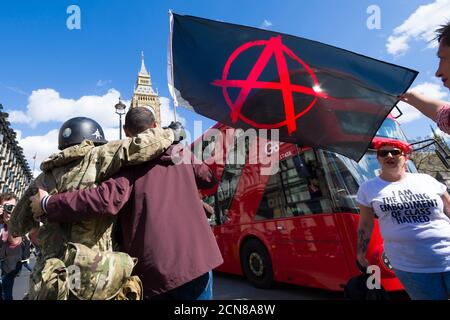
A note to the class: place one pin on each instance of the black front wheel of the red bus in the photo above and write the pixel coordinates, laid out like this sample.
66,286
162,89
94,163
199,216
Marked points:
257,264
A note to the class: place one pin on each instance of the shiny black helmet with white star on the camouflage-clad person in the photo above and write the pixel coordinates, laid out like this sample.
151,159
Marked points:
77,129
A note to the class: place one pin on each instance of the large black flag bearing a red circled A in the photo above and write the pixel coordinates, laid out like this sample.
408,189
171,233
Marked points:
317,95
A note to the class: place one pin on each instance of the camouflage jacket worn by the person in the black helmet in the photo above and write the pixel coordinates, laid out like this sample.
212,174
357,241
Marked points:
79,167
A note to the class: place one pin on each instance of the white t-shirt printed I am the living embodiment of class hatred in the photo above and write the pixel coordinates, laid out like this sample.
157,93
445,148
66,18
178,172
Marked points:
415,229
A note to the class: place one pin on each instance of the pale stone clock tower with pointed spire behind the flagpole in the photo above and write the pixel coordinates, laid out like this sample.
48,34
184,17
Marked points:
144,95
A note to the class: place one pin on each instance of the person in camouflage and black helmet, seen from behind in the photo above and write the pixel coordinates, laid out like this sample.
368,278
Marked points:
79,166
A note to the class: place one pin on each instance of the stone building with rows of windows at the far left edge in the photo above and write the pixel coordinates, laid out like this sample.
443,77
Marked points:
15,174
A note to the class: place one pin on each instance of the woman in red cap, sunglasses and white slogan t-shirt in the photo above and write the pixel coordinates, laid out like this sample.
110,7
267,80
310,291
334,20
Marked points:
413,211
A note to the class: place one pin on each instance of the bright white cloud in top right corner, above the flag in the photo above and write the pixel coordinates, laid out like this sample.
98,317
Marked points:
421,25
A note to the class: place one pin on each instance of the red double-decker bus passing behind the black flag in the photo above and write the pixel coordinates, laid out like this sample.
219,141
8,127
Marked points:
299,224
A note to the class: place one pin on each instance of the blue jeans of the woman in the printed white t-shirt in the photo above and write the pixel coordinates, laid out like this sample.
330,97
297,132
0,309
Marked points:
425,286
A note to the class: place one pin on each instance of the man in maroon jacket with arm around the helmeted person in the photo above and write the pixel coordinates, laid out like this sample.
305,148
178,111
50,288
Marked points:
161,218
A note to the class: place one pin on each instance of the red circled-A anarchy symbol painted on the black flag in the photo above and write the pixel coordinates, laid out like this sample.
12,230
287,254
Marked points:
273,46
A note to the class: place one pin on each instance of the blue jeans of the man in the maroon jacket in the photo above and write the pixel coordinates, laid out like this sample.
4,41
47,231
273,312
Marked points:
197,289
